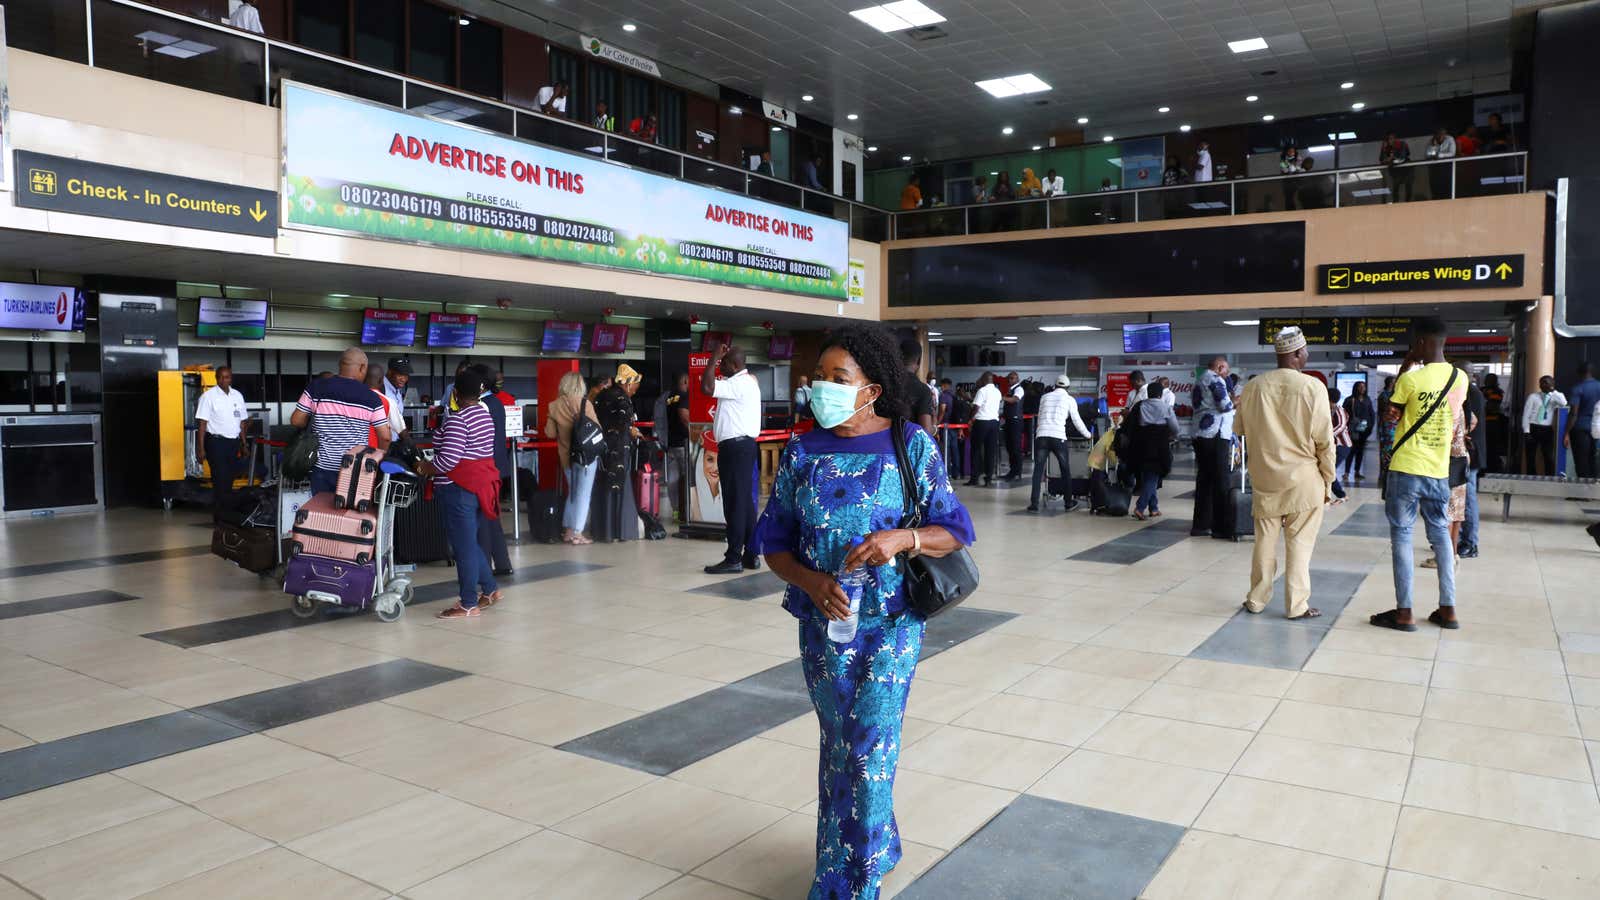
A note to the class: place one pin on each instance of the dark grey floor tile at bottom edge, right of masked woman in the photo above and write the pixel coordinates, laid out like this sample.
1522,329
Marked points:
1041,848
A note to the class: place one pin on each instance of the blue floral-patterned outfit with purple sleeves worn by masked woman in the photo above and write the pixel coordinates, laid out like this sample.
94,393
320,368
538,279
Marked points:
830,491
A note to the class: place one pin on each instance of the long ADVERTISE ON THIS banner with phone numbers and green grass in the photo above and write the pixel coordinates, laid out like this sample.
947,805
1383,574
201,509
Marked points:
377,172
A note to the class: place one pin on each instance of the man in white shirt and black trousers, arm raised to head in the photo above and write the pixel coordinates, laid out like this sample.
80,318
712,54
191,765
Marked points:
735,427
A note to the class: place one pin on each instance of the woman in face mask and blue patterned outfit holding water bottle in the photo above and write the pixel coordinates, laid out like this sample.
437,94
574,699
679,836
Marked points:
836,484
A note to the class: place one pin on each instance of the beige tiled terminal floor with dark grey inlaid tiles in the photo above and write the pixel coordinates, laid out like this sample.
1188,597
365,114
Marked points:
1098,723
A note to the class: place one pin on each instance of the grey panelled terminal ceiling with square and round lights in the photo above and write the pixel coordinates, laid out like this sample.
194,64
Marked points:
1111,60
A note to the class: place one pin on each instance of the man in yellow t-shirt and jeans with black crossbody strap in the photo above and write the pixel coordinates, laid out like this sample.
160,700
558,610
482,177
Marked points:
1420,472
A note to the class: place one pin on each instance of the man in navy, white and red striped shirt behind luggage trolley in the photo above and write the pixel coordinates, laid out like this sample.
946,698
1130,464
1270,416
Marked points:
343,412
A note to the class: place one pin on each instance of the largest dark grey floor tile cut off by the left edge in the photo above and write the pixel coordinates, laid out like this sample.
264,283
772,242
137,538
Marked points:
92,753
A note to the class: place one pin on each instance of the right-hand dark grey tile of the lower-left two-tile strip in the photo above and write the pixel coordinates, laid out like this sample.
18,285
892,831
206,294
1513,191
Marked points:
318,697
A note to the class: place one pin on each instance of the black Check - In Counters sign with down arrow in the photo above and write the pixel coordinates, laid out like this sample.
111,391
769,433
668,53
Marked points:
95,190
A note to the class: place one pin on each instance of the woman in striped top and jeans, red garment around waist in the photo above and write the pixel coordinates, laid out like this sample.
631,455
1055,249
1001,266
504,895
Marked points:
466,484
